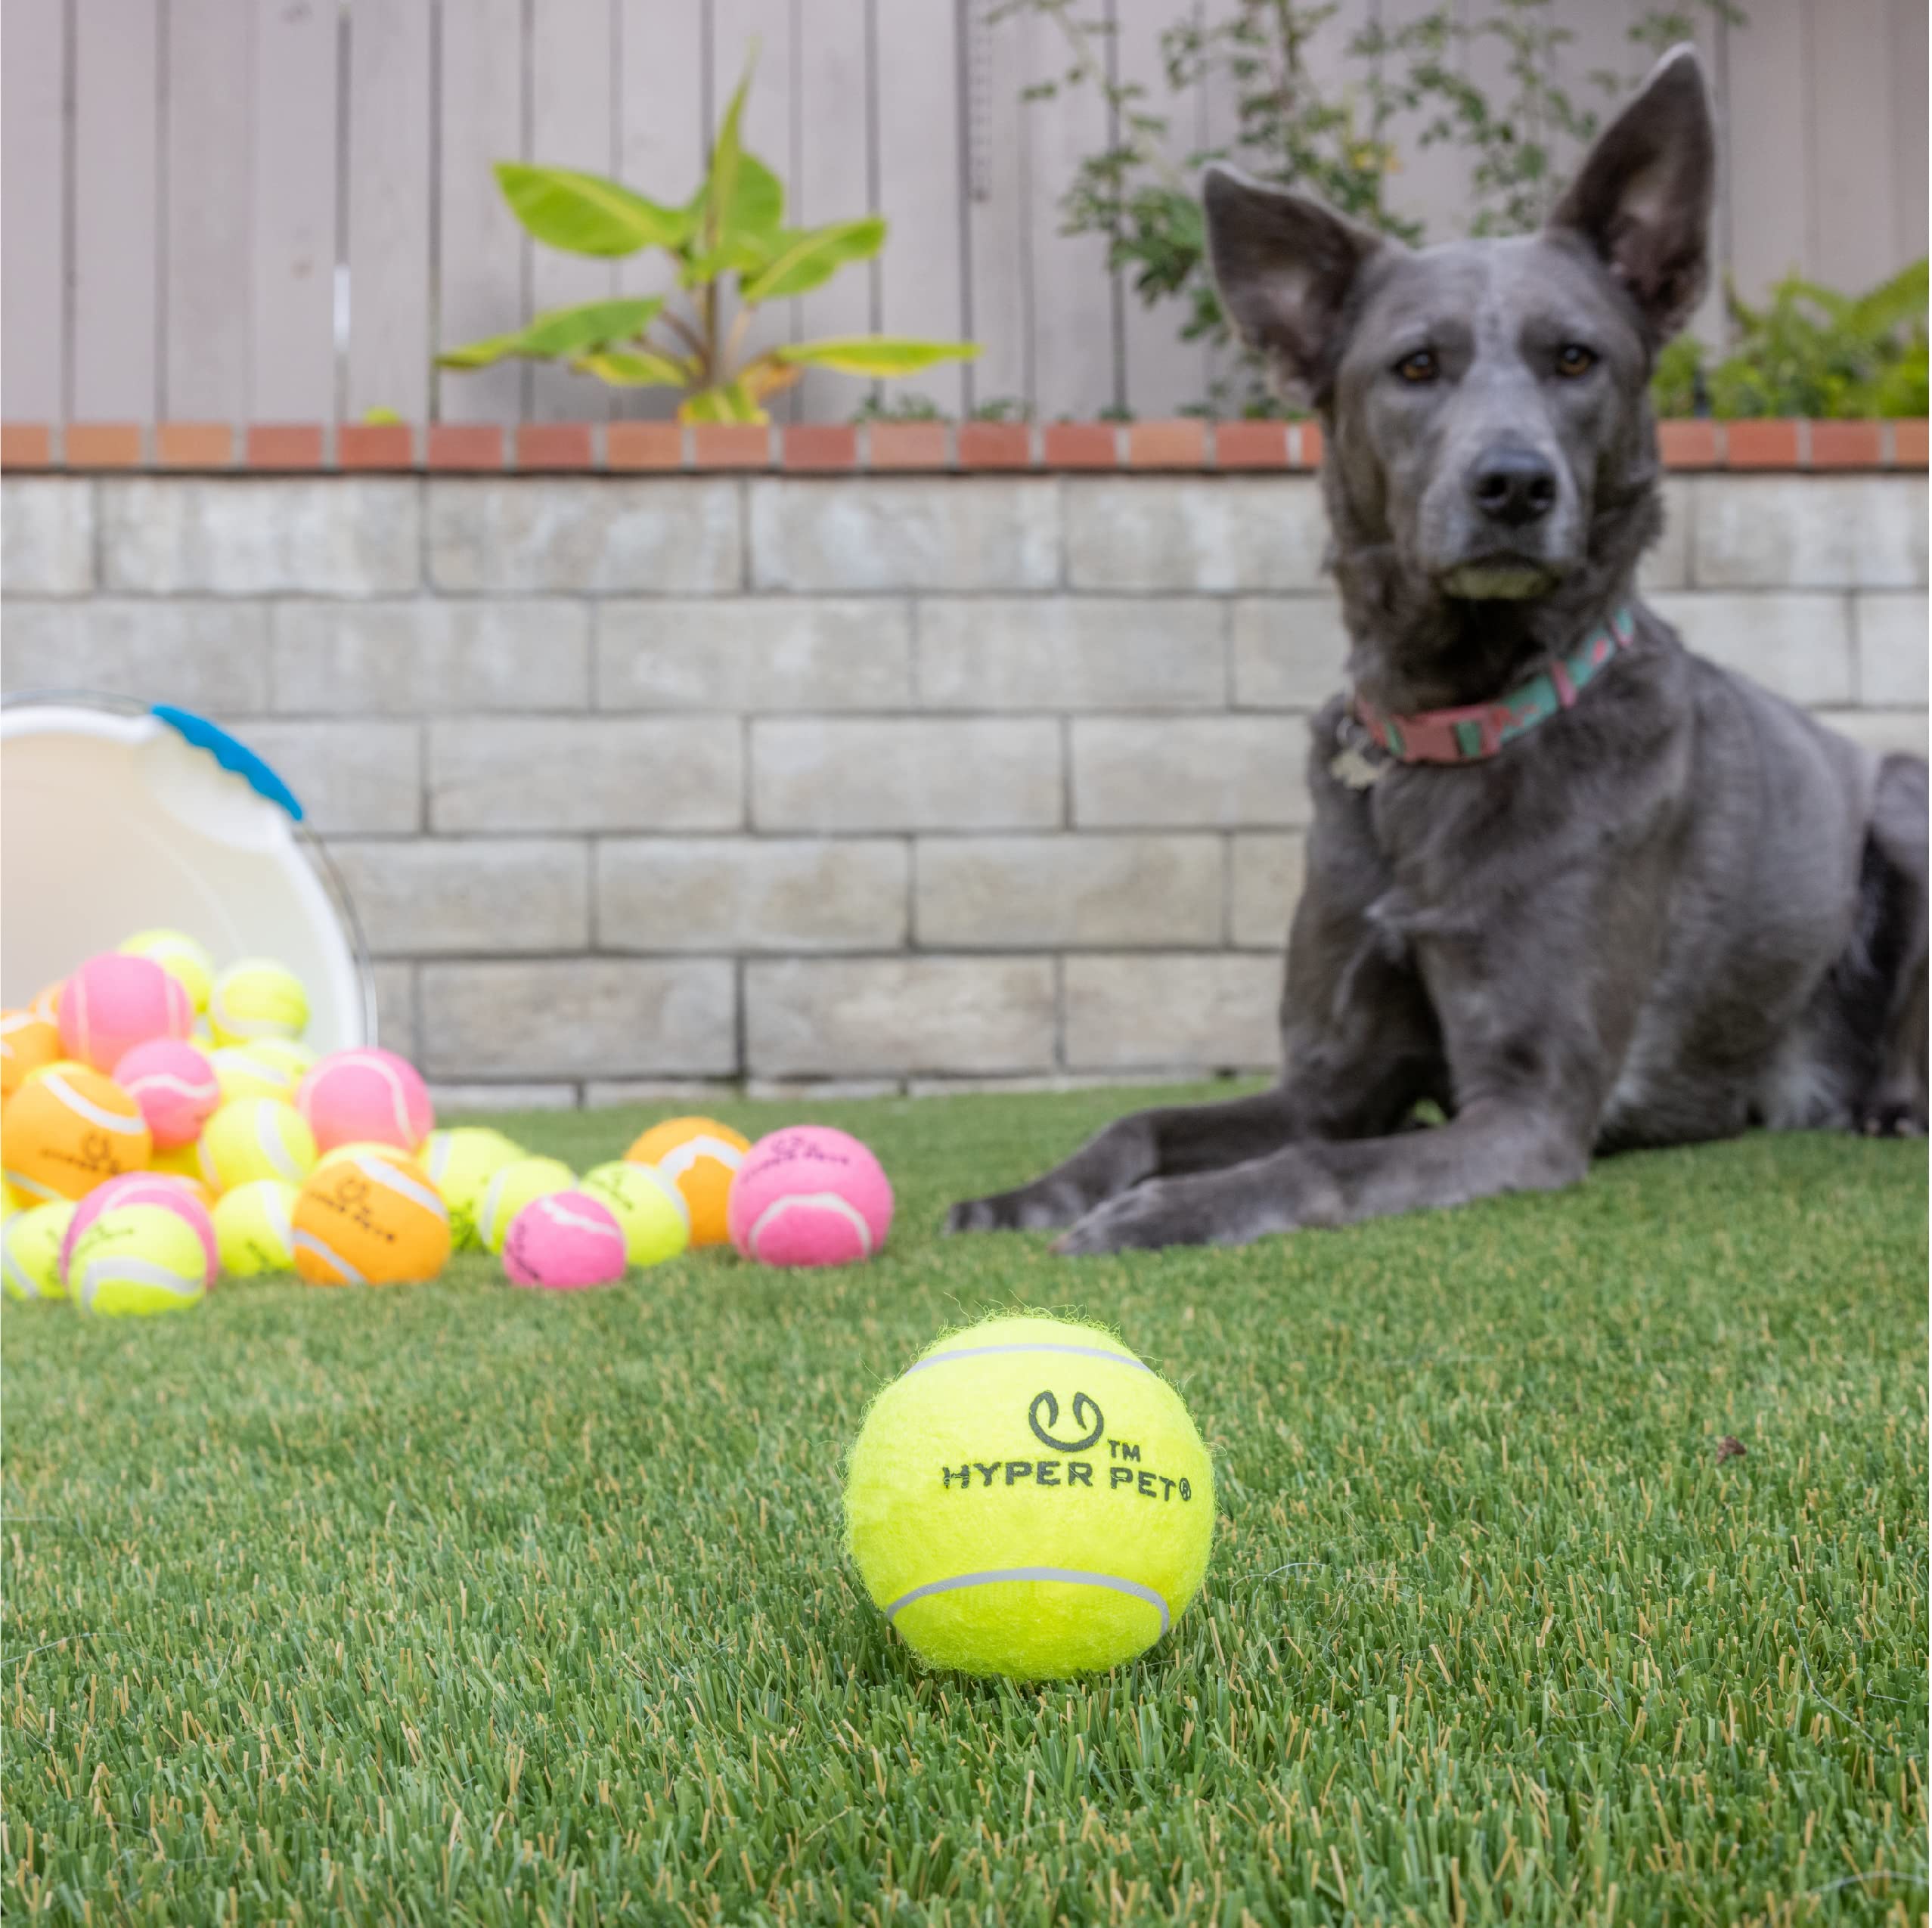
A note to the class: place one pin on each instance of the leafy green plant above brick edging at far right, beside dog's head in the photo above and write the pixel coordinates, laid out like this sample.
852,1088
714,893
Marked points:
1809,351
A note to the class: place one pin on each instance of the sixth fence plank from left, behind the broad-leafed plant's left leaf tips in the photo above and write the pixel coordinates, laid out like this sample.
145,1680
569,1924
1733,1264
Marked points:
480,248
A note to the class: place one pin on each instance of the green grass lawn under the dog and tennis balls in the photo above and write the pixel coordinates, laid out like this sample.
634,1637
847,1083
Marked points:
470,1604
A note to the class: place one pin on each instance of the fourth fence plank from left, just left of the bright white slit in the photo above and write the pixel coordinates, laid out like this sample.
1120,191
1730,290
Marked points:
293,356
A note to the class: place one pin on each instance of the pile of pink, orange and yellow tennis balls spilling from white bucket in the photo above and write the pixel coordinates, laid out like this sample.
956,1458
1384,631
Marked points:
163,1125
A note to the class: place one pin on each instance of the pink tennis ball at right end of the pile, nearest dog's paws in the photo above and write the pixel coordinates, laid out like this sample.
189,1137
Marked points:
809,1197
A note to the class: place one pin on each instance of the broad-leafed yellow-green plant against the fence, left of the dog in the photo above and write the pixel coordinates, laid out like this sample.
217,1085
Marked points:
731,254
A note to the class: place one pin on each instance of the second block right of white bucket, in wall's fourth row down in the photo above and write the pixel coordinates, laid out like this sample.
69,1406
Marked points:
751,893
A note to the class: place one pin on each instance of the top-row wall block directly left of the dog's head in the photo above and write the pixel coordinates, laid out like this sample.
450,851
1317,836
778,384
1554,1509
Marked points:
1195,532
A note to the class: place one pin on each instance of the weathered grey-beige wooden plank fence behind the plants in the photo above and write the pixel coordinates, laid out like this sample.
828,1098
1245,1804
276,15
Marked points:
277,210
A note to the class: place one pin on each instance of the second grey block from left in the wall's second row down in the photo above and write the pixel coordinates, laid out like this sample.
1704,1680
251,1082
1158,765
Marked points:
432,656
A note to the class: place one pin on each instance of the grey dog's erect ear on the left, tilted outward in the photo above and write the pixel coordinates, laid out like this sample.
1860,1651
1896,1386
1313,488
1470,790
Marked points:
1284,266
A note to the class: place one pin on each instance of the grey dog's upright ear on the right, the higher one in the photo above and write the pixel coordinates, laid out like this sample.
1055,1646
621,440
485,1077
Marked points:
1643,196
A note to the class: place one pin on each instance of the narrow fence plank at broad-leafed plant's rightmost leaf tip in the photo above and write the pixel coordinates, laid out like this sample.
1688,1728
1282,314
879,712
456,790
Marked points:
1000,285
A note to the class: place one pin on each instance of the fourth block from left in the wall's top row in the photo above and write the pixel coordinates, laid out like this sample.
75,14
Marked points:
913,532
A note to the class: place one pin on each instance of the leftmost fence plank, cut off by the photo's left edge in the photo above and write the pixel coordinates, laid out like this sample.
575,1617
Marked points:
34,233
